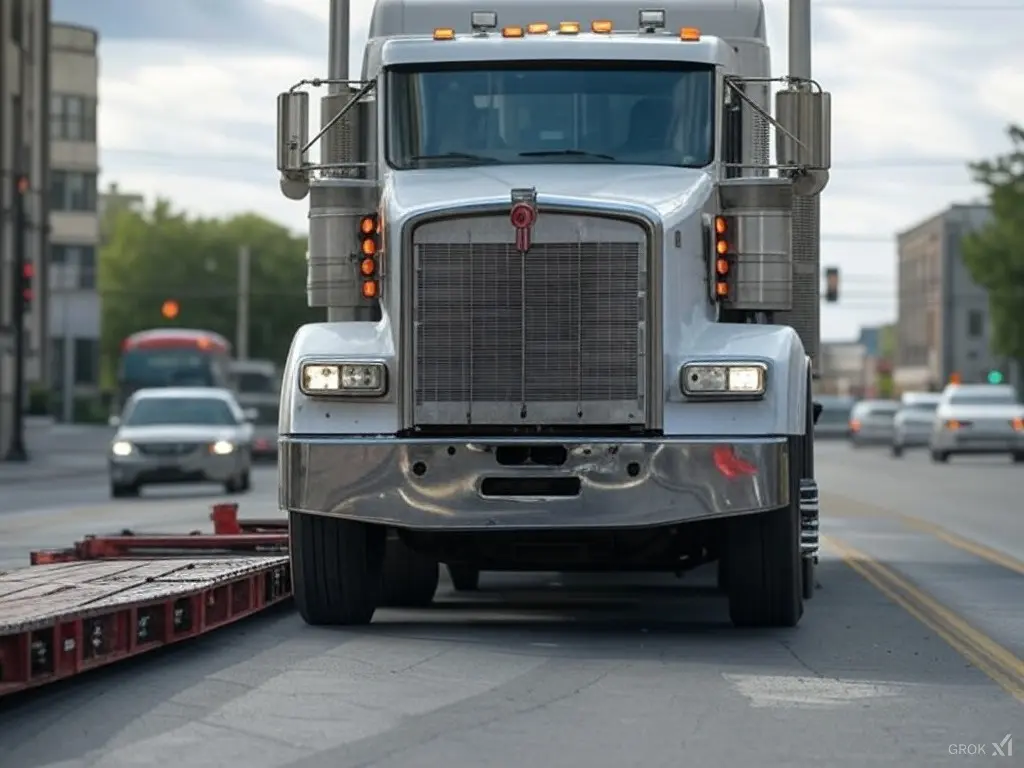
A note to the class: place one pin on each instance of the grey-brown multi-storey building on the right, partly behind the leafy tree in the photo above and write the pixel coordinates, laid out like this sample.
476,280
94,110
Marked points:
943,324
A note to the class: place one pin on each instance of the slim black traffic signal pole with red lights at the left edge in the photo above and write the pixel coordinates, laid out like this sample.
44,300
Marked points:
16,449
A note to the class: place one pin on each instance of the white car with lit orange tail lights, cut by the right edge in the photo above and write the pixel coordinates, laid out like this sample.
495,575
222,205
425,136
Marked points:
978,419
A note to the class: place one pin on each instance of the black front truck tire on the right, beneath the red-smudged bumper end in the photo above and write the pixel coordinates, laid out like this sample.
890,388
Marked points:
764,567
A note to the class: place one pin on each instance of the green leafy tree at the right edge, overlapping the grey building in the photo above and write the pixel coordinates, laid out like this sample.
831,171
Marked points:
995,255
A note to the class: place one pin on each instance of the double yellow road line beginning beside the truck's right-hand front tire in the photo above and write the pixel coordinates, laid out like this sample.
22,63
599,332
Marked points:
997,662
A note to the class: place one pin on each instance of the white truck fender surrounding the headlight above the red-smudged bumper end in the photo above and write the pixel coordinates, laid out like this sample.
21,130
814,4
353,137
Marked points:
782,412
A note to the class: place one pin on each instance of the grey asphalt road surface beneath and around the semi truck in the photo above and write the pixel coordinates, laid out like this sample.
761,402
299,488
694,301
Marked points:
910,655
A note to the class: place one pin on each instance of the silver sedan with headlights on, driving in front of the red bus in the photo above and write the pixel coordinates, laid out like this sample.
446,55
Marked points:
181,436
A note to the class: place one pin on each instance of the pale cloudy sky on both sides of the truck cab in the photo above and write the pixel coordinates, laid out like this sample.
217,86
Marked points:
920,89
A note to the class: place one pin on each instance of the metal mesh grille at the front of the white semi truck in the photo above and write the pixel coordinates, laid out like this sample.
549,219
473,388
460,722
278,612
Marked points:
556,337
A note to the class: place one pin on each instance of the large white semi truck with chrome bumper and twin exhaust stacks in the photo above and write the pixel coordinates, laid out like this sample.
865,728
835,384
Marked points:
572,303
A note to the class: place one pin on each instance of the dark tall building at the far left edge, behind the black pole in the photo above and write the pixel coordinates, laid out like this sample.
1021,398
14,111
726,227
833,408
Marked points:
24,153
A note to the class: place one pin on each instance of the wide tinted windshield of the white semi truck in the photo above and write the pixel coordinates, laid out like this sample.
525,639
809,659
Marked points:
551,112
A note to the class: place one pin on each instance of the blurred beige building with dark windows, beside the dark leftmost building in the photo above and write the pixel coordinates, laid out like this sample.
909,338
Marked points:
75,307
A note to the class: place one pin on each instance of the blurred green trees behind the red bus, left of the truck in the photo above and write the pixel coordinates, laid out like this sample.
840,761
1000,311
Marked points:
151,257
